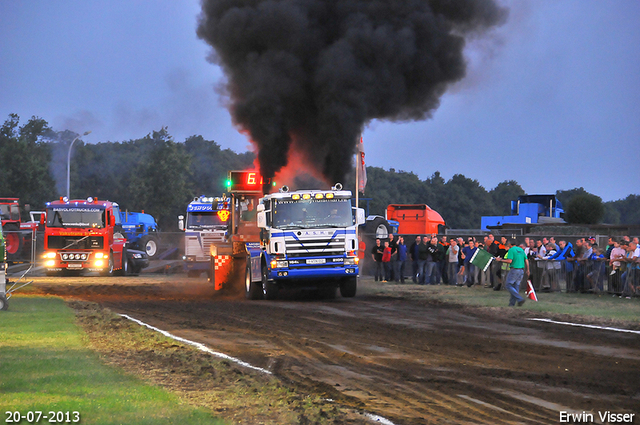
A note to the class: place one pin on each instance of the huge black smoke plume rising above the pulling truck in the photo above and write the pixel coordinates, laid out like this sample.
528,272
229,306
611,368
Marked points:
311,73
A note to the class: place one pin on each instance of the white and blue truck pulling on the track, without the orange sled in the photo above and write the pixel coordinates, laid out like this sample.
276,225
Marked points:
308,239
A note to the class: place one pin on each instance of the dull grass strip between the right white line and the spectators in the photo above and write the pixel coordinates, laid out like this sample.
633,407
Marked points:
580,307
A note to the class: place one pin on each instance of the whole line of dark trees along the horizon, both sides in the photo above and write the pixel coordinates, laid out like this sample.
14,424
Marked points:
160,176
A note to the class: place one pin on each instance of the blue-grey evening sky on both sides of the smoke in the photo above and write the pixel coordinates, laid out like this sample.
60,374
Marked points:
551,100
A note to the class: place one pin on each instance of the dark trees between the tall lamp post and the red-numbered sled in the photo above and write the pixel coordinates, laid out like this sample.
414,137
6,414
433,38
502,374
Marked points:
154,174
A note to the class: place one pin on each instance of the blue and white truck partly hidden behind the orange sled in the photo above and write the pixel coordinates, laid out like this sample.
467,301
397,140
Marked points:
205,224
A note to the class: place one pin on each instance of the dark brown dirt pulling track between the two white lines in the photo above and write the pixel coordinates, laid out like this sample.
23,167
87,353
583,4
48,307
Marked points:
410,362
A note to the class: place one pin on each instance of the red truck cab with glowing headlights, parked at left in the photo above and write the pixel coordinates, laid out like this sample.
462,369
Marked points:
84,235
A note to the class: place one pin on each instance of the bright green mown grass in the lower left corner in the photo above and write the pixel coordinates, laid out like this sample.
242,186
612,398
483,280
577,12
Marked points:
45,366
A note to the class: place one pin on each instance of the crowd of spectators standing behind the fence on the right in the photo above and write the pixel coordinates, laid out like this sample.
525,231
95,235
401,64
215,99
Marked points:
578,266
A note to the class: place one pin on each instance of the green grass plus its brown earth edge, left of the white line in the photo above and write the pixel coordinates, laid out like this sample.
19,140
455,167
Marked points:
78,356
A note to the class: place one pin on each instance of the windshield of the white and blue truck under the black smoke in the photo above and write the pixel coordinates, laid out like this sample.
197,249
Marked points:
312,213
